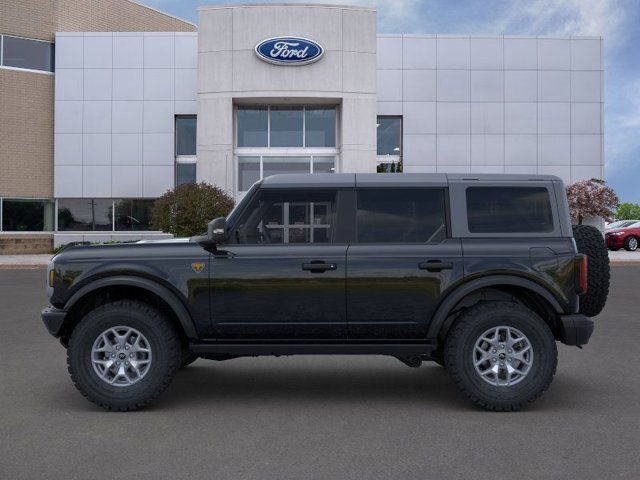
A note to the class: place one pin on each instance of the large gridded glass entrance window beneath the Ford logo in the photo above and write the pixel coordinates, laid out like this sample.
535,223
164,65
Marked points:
284,139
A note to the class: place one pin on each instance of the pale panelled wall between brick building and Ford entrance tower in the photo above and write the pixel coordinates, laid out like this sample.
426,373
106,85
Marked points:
116,95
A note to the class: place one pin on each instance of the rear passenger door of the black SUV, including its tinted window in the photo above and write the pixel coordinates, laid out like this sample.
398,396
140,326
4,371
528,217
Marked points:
401,262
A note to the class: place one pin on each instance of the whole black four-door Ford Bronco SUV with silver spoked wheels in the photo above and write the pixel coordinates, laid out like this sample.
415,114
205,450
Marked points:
479,273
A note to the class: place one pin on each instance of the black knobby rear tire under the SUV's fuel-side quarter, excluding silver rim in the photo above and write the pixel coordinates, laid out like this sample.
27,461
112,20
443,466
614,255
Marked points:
460,344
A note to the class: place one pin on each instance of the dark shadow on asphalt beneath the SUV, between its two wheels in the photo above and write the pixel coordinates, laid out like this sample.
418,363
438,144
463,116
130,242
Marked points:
218,382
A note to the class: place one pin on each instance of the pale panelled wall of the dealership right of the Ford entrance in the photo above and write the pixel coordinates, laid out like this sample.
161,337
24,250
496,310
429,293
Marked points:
495,104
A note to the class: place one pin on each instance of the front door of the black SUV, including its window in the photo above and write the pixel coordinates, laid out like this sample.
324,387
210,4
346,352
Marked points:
282,275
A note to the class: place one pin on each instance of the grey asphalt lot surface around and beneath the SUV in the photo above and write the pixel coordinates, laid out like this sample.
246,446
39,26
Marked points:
319,417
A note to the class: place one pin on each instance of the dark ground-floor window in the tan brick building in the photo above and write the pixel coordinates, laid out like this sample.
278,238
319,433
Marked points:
26,215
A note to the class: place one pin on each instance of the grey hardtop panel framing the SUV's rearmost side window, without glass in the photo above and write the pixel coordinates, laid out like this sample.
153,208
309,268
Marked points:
458,199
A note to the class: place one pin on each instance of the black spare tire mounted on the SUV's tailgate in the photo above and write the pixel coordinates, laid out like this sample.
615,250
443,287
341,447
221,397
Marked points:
590,242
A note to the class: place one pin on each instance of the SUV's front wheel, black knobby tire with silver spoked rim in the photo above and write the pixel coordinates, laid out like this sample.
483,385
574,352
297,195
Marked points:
123,354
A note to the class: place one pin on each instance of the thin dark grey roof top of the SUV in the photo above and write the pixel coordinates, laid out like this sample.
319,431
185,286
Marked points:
345,180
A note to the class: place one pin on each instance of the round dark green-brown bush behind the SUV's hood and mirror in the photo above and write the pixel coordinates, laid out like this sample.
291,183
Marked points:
186,210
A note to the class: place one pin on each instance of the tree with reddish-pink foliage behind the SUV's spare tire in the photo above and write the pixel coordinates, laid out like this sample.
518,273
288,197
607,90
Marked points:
591,198
